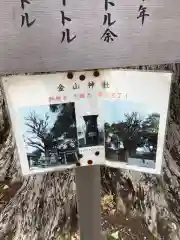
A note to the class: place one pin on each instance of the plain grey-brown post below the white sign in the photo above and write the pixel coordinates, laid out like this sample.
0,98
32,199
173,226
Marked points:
88,197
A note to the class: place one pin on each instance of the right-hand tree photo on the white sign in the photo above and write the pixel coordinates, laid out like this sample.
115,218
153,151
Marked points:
131,133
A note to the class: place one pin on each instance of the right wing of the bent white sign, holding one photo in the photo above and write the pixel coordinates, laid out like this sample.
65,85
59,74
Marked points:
135,115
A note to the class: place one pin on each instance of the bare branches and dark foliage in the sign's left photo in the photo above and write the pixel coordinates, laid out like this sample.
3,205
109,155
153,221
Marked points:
43,137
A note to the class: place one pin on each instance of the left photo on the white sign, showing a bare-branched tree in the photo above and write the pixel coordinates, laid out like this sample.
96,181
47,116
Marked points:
50,135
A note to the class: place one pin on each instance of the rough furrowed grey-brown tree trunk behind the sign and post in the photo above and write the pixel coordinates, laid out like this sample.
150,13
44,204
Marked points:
45,204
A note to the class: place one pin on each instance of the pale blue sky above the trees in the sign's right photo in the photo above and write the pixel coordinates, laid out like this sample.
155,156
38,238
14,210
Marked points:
114,110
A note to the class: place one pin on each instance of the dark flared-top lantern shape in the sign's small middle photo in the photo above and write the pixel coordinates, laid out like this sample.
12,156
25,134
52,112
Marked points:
91,132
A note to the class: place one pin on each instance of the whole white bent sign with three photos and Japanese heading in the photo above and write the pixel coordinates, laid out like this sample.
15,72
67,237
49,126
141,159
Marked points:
112,117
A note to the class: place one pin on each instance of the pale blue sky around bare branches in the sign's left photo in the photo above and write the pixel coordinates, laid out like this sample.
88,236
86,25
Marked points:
40,111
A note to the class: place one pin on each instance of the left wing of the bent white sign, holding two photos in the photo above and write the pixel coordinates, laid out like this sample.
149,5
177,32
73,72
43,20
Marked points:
57,120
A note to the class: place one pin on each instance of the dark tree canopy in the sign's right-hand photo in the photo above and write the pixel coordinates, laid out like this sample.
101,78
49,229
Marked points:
135,131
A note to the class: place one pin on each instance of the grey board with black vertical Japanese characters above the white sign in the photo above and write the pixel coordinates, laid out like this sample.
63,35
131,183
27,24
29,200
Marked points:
44,36
